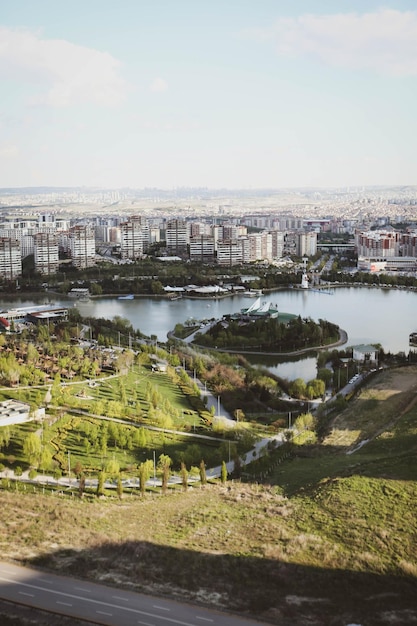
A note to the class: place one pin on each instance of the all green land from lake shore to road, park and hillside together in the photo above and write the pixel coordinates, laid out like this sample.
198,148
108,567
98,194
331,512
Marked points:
326,506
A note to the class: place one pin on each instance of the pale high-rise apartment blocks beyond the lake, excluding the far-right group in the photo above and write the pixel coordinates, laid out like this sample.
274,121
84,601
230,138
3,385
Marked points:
53,241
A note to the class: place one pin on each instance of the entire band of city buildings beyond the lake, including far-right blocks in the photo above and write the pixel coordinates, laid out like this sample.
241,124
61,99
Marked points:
54,240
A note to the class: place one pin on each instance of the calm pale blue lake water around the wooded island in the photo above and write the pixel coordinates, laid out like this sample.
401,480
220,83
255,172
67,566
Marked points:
367,315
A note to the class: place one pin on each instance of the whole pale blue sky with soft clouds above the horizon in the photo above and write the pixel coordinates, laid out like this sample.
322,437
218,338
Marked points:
235,94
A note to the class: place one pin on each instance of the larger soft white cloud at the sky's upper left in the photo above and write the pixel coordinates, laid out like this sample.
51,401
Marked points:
64,73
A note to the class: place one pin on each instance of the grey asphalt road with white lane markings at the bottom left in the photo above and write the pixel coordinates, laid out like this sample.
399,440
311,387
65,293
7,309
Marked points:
99,604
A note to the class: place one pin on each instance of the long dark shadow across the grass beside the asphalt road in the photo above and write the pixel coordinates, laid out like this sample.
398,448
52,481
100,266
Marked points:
270,590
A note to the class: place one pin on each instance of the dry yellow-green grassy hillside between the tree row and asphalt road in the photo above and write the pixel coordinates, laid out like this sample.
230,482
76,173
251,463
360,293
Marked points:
331,540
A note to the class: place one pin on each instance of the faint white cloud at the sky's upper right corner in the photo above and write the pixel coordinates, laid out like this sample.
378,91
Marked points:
384,41
